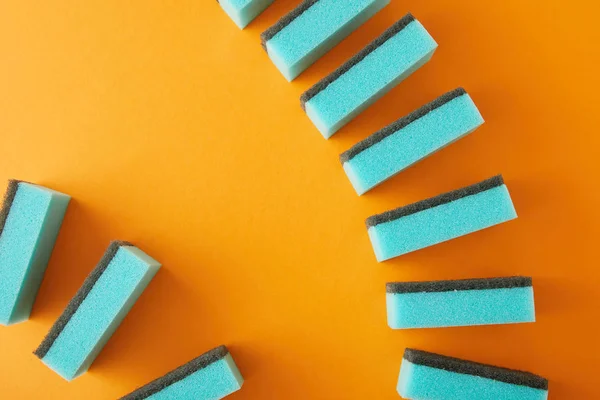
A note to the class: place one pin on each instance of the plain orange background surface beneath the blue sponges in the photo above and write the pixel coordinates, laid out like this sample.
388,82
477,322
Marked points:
171,128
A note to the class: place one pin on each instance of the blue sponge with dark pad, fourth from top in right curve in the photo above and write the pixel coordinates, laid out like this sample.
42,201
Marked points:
410,139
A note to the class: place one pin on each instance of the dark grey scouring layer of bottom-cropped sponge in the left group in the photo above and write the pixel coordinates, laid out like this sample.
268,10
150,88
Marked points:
178,374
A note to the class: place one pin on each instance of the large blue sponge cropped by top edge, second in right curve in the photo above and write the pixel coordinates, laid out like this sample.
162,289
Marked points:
312,29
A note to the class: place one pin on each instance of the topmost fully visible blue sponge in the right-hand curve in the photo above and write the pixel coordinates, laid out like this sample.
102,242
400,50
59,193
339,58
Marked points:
362,80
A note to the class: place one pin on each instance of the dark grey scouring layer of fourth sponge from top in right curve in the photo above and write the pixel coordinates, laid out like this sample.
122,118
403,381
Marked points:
399,124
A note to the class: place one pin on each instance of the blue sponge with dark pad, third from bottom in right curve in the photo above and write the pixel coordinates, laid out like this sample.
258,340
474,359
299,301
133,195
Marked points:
440,218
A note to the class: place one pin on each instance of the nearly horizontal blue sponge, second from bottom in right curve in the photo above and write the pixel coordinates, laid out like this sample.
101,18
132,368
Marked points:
460,302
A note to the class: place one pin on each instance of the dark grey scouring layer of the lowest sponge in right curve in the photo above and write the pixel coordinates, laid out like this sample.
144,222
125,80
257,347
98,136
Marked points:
472,368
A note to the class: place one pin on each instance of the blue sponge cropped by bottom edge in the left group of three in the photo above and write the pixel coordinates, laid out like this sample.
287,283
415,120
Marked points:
211,376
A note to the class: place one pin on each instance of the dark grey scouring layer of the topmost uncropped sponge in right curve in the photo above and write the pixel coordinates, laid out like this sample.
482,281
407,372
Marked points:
328,80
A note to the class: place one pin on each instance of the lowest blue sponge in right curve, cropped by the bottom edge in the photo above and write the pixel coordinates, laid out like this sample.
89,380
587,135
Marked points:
429,376
